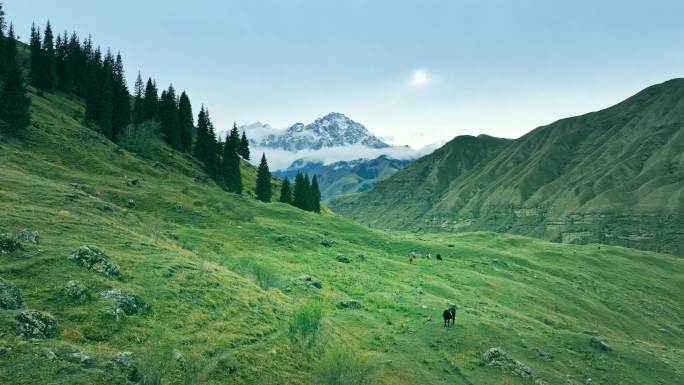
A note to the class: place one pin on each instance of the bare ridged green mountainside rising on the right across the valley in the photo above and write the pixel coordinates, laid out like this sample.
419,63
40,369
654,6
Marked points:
614,176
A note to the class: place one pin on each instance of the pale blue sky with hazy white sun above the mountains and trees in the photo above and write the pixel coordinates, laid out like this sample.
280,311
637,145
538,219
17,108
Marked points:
495,67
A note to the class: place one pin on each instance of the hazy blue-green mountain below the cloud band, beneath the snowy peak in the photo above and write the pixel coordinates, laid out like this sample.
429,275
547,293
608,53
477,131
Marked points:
345,177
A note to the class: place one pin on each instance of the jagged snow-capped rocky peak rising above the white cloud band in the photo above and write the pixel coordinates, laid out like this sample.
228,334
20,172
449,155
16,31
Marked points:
332,130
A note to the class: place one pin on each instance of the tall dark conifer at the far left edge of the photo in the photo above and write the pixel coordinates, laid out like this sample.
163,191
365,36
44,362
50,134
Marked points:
14,103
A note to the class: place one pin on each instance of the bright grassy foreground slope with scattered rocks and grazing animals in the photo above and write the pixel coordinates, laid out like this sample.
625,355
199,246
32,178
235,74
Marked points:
214,281
